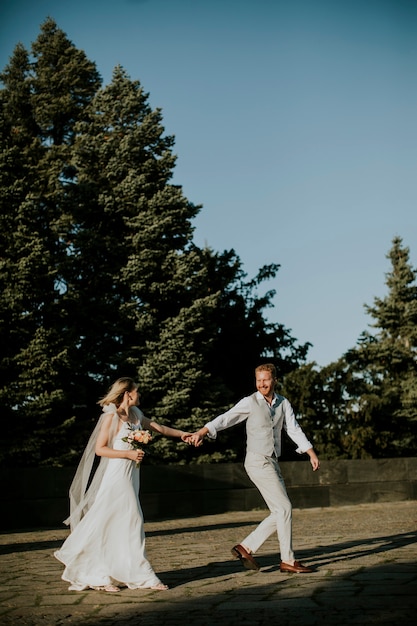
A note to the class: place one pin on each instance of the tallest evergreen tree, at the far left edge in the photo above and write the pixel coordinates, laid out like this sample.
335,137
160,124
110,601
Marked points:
36,366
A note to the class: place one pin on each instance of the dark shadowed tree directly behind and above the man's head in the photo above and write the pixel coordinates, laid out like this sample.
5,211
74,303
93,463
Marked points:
243,334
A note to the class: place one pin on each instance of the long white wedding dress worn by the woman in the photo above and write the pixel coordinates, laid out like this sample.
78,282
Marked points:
107,547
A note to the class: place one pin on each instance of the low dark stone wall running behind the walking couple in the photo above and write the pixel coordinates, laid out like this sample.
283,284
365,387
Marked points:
36,498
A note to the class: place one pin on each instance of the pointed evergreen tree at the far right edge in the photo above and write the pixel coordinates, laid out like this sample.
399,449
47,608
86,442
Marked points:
384,397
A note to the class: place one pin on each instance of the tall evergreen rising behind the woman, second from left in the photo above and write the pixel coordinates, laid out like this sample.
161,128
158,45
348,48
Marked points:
137,225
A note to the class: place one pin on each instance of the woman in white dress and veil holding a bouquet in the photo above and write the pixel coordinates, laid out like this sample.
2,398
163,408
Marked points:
106,547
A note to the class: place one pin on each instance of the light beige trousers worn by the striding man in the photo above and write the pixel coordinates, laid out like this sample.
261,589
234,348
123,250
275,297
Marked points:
265,473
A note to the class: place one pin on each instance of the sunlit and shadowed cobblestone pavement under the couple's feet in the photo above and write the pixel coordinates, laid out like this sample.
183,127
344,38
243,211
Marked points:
365,560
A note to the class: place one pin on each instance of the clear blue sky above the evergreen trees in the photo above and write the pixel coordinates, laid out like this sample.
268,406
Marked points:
295,125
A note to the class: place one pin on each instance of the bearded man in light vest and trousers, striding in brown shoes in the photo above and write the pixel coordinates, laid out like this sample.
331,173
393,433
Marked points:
266,413
